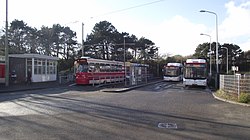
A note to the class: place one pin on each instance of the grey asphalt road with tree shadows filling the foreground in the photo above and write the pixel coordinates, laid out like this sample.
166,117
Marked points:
157,111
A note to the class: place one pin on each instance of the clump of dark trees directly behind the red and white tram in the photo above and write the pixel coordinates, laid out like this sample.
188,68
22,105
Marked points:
105,42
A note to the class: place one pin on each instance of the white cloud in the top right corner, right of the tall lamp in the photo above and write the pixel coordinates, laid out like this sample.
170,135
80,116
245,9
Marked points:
235,28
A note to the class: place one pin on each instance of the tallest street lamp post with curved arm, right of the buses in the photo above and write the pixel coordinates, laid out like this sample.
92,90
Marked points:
217,62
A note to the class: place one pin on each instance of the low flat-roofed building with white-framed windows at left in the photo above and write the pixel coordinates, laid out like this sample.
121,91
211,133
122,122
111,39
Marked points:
43,68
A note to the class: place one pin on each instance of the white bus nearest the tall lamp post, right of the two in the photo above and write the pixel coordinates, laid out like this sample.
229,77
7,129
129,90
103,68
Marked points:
195,73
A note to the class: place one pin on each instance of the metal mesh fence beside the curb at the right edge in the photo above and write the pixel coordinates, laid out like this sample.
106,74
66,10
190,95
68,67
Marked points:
234,85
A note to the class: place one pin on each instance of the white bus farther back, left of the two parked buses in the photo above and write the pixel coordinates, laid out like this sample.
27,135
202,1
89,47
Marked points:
173,72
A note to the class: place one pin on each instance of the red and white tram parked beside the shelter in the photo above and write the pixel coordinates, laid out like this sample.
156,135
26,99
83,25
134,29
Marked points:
96,71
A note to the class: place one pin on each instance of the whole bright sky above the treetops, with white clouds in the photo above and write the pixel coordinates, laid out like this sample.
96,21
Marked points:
173,25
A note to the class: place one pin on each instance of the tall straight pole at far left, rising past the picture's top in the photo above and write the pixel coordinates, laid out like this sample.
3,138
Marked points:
6,48
